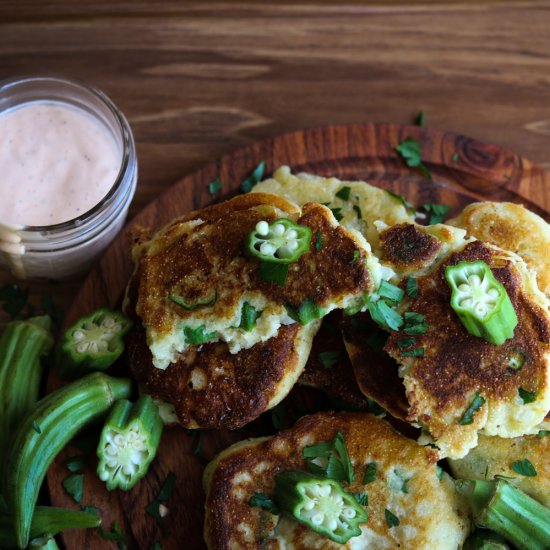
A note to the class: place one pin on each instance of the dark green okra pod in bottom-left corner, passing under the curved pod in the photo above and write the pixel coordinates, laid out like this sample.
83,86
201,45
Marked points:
46,521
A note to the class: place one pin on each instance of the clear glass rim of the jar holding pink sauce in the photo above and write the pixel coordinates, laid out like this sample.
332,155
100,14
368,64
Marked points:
128,147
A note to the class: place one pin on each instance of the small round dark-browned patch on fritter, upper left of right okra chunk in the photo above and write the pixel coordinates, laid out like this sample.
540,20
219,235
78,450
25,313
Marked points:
407,245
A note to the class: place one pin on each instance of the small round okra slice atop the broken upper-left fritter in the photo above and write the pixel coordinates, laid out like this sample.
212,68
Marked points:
281,241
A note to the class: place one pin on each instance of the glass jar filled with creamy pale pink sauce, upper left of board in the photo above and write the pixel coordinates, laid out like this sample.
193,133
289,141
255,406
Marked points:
30,246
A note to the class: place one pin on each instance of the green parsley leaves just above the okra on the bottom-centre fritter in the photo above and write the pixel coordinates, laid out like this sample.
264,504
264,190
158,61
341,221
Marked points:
338,462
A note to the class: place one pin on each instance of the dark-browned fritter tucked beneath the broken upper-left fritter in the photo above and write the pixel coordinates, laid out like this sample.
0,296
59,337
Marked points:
238,386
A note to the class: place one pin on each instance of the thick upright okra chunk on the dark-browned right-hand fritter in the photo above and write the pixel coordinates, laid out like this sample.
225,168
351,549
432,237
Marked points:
481,302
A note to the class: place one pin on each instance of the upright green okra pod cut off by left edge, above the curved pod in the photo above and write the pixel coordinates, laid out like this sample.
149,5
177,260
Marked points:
22,345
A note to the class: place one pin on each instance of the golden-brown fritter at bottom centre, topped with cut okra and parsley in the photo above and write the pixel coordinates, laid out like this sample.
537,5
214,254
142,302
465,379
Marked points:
430,513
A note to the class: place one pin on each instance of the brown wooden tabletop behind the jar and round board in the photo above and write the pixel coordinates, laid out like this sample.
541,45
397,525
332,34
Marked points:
197,80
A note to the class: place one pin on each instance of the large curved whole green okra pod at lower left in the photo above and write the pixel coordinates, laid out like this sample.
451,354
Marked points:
44,431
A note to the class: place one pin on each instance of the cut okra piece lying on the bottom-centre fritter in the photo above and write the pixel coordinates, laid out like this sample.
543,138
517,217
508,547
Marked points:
321,504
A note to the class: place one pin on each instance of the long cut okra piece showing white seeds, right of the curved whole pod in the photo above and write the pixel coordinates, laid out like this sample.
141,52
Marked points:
128,442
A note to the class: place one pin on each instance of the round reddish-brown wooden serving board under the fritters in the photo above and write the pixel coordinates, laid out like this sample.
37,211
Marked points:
463,170
